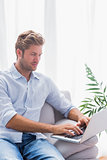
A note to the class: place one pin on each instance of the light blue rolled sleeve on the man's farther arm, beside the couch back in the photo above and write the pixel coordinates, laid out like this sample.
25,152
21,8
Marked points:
57,99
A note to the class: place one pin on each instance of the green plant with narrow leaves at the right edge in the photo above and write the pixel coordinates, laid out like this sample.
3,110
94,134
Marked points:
98,96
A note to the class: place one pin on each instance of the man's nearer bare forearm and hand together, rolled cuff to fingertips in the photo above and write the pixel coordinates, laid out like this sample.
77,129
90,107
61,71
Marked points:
23,124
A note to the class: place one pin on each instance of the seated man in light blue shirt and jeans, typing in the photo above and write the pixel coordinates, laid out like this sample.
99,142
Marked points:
22,95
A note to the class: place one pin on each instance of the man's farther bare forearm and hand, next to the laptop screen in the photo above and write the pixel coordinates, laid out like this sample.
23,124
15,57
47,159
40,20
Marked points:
76,115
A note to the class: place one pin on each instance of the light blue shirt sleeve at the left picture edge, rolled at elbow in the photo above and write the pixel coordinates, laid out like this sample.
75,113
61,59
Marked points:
6,108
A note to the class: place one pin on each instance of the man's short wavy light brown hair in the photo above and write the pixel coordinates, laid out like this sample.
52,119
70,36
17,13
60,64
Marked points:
28,38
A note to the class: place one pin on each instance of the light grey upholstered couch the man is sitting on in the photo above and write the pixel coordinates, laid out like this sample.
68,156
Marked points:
85,151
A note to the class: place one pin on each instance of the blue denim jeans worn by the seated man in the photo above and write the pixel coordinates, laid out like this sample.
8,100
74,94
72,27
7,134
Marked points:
30,149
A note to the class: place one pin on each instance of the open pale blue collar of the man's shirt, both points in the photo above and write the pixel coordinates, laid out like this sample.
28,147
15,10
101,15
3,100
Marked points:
17,75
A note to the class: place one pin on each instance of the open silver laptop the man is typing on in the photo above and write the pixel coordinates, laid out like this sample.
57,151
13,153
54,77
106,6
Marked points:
96,125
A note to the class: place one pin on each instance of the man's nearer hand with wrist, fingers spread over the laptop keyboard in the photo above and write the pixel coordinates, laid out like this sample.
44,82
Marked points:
66,128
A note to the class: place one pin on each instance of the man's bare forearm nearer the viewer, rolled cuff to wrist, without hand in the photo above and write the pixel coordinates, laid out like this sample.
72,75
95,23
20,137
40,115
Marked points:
23,124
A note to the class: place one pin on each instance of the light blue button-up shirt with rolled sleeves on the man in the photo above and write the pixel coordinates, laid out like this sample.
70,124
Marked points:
19,96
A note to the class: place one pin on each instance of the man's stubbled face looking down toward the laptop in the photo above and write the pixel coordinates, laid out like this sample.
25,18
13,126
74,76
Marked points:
31,58
